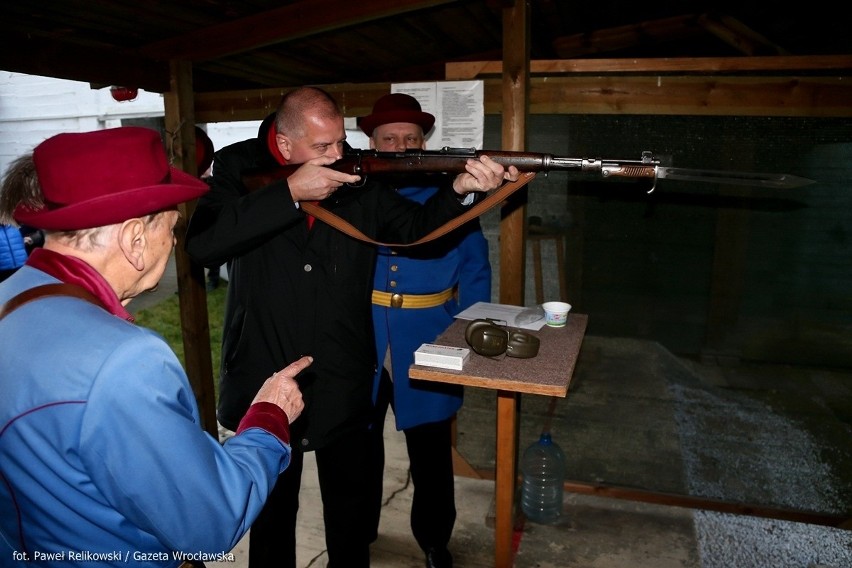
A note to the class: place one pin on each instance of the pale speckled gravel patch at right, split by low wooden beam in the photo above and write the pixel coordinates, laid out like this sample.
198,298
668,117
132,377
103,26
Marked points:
782,464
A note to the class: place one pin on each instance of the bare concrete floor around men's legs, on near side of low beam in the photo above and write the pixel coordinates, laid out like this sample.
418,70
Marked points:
594,531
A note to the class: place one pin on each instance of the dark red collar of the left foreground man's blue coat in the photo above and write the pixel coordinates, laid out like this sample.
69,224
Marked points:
74,271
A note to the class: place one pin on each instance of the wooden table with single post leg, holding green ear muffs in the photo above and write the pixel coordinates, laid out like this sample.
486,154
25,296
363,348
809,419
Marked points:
549,373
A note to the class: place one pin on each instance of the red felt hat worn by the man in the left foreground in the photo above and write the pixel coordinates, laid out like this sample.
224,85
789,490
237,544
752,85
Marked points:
92,179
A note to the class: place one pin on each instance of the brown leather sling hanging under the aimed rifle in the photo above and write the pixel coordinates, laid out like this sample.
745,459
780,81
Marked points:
497,196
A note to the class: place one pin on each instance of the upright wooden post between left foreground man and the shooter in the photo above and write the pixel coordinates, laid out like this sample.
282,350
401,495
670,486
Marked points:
180,142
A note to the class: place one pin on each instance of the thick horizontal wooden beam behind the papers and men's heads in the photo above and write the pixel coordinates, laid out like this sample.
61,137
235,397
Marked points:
686,95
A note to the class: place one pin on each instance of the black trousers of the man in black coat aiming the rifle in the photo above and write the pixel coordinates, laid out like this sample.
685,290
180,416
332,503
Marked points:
342,479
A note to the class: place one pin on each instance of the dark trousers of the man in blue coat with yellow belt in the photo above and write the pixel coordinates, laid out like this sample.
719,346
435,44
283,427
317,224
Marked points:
433,509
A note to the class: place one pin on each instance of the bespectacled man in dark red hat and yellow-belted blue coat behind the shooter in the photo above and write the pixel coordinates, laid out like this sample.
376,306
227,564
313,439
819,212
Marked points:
416,294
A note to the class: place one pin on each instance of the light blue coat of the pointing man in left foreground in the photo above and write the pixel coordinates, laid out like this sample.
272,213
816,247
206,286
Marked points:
101,449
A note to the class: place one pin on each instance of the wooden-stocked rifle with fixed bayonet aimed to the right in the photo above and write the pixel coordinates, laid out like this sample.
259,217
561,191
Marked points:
452,161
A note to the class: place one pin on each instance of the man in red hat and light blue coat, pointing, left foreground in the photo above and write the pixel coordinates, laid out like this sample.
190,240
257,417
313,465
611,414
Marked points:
102,455
